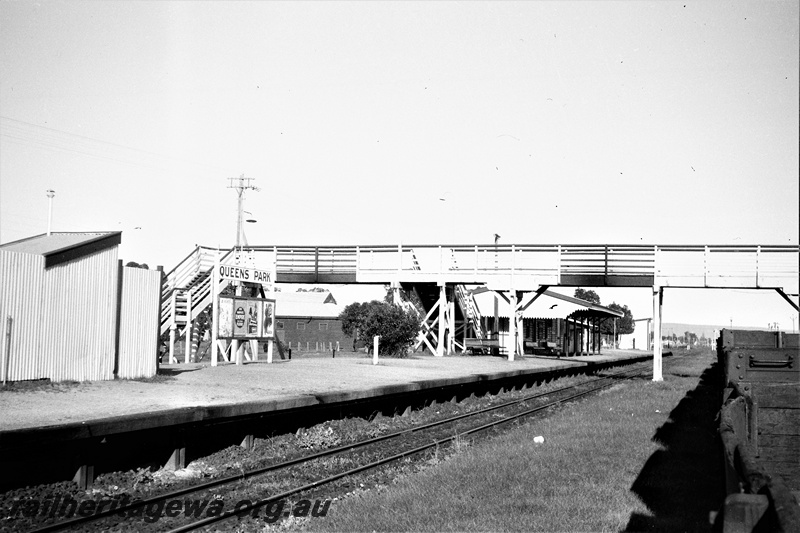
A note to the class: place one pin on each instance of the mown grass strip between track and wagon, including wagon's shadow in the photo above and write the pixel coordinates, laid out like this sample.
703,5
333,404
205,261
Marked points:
639,456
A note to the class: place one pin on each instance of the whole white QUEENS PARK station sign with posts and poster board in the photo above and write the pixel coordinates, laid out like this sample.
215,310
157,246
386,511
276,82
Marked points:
240,318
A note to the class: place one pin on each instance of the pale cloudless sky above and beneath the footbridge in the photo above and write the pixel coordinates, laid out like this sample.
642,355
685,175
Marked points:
544,122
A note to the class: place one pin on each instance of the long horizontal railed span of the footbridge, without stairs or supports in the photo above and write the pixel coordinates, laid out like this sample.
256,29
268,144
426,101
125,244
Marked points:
524,266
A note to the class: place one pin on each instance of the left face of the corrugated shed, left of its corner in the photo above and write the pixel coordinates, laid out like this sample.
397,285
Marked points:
21,278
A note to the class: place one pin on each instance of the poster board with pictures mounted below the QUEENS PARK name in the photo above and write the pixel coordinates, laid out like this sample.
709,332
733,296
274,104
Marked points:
242,317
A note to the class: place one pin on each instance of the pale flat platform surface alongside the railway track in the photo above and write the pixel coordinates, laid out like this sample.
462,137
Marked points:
230,390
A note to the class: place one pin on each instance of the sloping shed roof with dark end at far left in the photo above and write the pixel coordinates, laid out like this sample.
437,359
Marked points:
61,247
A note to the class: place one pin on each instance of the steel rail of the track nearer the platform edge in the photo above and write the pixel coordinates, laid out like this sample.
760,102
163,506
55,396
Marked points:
307,458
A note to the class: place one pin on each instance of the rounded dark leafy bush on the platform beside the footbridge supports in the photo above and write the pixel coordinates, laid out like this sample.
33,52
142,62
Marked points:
396,327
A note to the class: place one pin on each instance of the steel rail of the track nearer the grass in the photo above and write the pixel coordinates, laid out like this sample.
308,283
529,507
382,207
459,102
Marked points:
243,510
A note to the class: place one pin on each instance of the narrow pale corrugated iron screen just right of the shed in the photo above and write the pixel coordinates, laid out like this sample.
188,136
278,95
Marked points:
139,322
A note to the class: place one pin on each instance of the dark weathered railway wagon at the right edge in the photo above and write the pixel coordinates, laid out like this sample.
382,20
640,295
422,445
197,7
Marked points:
760,430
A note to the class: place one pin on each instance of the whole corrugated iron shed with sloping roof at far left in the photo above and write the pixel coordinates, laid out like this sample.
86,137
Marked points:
59,292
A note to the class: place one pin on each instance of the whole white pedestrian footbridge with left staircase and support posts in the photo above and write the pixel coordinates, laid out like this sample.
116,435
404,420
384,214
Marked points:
518,272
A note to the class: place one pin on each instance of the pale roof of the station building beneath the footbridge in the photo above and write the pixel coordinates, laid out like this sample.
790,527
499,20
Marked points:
549,305
